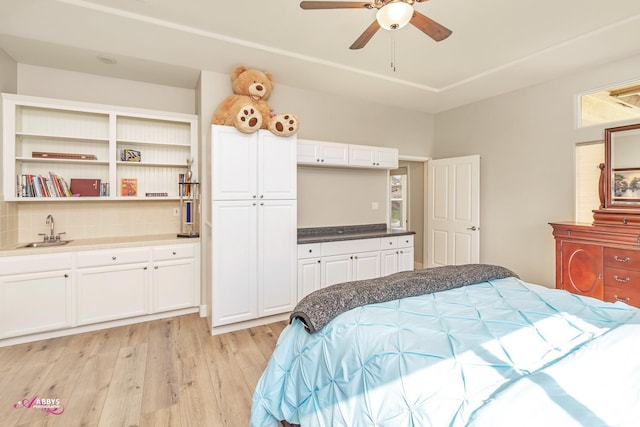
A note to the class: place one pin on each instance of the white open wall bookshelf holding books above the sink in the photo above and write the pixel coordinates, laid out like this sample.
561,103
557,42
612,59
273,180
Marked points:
57,148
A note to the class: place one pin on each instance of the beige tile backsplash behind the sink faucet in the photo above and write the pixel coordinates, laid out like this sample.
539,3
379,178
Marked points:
88,220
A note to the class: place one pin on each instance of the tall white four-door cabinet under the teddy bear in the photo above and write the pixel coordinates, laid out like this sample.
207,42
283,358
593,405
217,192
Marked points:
253,226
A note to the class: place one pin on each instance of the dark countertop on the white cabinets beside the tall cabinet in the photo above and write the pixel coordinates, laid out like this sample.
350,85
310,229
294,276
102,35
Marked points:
348,232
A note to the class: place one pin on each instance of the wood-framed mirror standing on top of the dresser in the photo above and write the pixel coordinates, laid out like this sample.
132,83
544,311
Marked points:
622,167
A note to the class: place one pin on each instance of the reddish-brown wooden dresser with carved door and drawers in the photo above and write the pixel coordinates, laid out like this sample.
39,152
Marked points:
600,260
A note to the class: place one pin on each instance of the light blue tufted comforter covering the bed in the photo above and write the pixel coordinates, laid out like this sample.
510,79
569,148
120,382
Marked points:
497,353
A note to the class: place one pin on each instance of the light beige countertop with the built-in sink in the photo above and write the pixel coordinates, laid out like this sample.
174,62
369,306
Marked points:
99,243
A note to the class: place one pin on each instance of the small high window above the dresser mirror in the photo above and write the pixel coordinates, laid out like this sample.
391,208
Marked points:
610,105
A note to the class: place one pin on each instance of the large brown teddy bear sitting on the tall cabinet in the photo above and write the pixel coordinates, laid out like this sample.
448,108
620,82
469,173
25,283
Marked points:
247,109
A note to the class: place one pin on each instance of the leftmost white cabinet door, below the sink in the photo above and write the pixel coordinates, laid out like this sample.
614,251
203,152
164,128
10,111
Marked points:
37,302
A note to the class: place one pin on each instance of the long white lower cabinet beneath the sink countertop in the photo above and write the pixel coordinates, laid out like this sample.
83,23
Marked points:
43,293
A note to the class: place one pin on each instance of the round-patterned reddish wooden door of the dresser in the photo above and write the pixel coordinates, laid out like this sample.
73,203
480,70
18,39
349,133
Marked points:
582,269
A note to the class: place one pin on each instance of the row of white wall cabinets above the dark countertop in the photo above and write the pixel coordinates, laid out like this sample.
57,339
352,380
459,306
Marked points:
321,153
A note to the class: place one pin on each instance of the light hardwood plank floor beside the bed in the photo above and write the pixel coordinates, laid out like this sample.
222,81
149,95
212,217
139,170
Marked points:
168,372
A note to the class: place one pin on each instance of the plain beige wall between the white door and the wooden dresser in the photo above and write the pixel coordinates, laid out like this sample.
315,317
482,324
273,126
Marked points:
526,142
